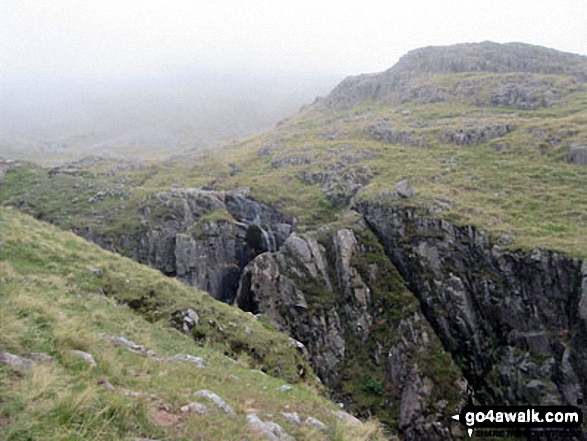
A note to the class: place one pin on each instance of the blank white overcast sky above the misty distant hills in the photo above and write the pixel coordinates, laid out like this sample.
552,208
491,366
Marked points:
80,38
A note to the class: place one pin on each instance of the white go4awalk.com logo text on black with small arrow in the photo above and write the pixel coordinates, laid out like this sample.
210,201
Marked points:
559,418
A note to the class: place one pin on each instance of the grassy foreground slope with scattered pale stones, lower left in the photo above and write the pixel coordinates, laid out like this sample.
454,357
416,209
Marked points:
50,302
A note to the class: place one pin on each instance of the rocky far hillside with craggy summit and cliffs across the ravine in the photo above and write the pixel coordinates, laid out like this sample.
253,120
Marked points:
419,229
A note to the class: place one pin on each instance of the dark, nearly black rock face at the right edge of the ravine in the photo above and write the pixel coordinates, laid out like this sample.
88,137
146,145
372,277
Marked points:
516,321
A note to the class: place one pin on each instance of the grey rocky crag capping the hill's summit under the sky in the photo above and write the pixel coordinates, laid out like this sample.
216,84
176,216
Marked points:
528,91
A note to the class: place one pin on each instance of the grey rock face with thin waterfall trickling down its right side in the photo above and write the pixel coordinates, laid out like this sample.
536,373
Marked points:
201,237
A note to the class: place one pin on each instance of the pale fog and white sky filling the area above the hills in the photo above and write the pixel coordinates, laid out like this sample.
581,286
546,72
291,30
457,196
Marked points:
120,76
